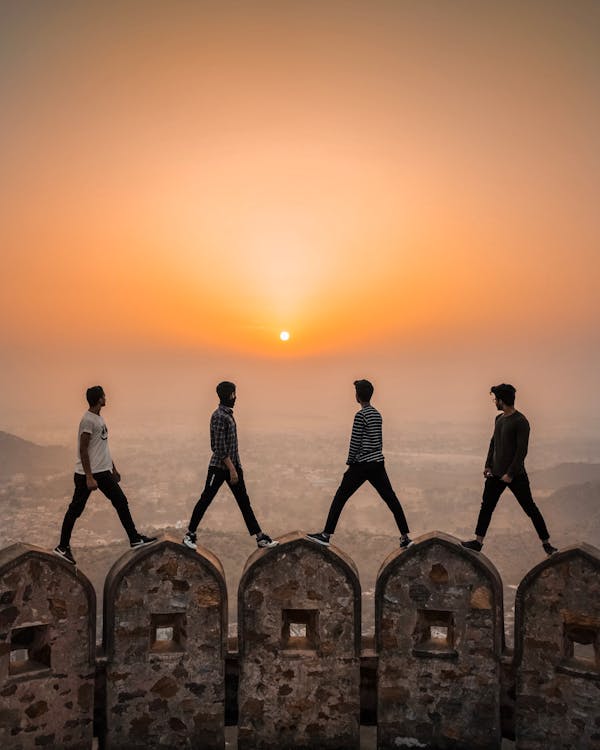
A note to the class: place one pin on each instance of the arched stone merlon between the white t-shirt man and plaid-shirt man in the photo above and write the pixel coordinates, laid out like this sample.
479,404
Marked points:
165,636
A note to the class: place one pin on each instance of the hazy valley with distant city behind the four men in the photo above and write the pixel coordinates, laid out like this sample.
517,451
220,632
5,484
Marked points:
291,477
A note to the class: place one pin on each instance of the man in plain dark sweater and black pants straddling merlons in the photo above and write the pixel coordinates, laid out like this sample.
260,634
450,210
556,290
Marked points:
505,467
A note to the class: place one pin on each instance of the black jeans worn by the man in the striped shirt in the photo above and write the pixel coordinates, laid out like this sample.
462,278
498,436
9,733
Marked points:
356,475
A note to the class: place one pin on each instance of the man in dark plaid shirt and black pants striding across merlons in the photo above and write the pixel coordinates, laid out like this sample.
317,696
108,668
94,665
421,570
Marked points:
225,466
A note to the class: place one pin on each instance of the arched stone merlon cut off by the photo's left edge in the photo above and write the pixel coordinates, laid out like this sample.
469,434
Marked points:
47,651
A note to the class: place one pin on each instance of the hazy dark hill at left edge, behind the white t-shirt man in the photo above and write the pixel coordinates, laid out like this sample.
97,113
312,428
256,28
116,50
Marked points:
18,456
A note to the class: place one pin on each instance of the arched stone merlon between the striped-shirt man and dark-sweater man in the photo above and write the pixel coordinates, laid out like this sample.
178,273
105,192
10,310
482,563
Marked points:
439,631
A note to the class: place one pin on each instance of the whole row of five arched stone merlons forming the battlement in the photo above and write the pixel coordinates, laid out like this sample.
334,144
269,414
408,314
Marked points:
438,674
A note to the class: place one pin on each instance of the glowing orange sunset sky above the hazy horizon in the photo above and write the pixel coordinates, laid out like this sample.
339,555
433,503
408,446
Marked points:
198,176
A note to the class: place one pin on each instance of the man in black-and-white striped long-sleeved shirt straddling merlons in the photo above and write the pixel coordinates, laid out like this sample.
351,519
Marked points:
365,464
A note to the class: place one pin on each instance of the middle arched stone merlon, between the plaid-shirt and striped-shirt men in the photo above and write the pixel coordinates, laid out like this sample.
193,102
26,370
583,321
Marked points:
299,648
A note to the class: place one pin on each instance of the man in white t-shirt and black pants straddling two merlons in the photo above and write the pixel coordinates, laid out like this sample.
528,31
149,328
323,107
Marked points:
95,469
